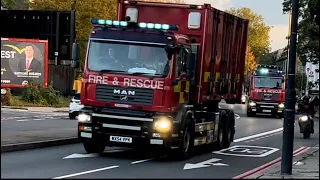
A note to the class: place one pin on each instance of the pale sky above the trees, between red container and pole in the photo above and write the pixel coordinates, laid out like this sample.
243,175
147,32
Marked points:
271,10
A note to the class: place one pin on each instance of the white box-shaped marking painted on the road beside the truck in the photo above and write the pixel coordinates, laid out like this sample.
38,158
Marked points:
248,151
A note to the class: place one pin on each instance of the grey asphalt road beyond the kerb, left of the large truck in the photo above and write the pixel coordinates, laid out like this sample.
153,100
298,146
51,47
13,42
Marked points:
22,126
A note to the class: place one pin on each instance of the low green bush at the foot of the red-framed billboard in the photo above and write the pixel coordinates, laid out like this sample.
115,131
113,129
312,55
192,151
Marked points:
35,93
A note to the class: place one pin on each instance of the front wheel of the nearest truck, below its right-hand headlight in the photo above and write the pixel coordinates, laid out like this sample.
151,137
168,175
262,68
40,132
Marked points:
187,144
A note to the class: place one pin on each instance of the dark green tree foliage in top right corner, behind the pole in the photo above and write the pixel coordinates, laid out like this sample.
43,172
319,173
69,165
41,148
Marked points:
308,30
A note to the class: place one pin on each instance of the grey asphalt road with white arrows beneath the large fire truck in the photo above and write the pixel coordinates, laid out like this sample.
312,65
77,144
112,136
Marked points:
57,162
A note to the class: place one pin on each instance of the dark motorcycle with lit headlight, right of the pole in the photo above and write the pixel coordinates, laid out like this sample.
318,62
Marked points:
306,125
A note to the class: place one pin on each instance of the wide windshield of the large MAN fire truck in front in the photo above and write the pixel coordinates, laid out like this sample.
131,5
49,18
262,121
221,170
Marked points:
128,58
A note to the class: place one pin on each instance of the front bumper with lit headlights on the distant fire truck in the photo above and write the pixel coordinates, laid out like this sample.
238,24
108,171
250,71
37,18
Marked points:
265,107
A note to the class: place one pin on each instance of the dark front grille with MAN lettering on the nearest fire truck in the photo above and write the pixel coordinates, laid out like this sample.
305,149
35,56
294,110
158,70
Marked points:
115,94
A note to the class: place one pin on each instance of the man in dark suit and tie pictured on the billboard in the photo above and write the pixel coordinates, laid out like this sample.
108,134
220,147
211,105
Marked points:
29,63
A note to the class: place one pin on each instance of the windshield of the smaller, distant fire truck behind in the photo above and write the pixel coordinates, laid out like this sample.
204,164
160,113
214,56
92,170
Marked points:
267,82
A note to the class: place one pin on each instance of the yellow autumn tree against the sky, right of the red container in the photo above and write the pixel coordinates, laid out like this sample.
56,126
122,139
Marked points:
258,34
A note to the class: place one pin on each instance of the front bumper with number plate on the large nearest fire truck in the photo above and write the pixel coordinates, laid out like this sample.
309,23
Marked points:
131,132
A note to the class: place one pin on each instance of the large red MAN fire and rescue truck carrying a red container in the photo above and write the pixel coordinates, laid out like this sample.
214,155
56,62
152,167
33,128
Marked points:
155,76
